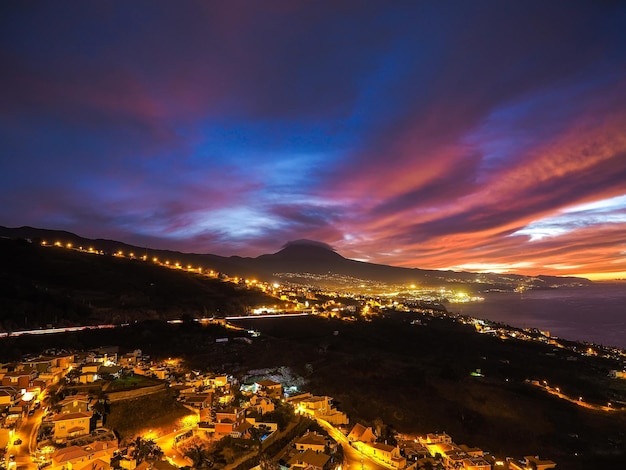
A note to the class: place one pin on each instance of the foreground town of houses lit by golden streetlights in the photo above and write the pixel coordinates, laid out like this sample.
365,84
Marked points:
56,409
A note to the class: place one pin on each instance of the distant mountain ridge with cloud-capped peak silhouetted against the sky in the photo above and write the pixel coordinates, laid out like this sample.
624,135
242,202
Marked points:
301,256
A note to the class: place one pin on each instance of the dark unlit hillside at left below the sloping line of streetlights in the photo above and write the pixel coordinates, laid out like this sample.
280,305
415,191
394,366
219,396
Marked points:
50,285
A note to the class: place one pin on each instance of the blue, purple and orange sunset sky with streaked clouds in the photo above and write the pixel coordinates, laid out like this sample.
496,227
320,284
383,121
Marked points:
479,136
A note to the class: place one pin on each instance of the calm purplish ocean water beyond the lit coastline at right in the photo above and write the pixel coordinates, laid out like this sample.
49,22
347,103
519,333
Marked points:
595,314
